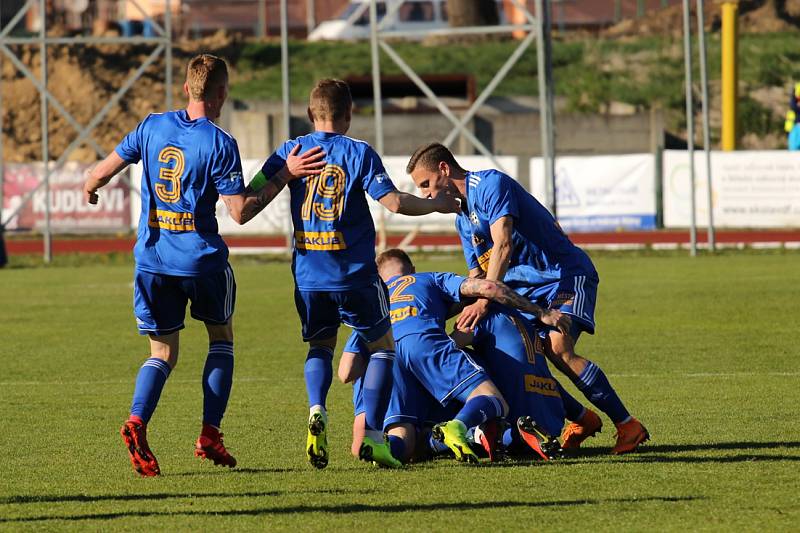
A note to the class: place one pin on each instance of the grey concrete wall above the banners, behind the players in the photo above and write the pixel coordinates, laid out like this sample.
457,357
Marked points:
258,127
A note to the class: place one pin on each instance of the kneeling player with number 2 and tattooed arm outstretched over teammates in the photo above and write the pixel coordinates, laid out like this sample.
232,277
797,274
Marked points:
432,371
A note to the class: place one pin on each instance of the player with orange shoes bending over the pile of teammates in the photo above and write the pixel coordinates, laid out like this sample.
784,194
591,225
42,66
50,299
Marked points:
515,239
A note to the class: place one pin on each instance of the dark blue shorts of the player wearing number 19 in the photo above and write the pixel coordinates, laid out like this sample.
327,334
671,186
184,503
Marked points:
365,310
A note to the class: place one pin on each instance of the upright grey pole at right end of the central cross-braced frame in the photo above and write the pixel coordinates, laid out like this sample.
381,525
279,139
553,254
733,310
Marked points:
544,73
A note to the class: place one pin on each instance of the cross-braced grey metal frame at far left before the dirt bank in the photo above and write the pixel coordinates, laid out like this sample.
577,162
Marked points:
163,44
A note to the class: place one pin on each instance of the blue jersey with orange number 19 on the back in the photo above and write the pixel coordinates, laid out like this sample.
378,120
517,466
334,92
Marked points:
334,236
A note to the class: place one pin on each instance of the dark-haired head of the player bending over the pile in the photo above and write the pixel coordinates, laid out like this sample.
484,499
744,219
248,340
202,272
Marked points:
433,168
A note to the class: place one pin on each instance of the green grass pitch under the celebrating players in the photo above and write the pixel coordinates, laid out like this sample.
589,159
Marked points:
704,351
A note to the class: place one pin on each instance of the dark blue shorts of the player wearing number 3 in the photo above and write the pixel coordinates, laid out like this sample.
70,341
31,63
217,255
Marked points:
159,300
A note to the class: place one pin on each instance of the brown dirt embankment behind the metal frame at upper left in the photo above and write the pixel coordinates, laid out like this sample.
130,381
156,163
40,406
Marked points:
83,79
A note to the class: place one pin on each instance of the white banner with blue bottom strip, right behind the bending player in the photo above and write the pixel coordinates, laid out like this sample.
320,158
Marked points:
600,193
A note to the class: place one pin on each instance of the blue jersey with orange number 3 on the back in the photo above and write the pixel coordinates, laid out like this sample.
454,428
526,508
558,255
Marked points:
186,165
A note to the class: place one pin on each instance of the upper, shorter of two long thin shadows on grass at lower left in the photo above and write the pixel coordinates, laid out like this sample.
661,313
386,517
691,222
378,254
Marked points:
162,496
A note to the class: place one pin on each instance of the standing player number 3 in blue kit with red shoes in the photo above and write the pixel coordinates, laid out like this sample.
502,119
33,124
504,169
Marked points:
188,163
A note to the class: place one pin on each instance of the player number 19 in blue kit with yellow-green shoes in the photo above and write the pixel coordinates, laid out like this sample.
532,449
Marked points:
334,262
